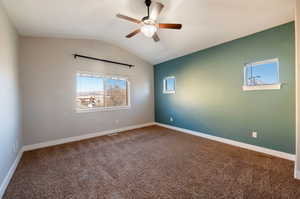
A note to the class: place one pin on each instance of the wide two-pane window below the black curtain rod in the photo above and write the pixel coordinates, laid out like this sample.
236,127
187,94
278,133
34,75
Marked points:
100,92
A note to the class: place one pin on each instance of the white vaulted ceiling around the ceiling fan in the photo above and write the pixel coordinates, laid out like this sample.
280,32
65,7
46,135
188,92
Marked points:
205,22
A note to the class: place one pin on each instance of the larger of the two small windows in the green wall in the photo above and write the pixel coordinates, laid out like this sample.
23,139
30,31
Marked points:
262,75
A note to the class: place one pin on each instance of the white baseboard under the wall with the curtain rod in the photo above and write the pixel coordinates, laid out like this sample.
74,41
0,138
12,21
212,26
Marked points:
82,137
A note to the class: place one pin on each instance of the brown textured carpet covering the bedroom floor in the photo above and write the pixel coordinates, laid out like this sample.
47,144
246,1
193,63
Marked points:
151,162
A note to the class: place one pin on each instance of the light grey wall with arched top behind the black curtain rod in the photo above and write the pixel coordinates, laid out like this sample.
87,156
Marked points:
47,74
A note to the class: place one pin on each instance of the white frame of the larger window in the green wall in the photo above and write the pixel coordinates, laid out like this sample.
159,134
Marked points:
265,86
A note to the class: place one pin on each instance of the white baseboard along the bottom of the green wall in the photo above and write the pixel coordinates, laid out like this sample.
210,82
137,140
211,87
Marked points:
234,143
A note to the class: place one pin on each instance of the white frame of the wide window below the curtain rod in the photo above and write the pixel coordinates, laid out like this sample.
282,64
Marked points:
113,108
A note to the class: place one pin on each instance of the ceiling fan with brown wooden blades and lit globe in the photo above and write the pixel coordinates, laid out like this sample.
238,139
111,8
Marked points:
148,24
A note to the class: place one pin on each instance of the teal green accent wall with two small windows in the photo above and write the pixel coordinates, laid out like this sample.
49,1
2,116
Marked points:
209,96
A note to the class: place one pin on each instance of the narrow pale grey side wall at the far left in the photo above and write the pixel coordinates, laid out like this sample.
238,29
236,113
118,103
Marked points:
10,133
